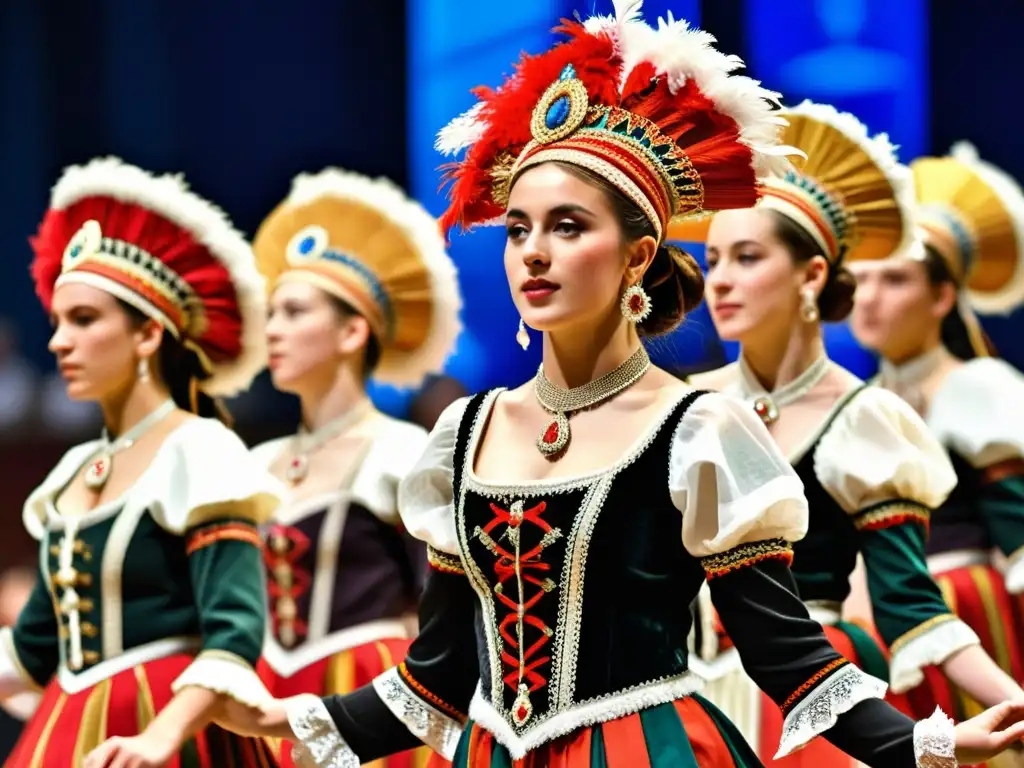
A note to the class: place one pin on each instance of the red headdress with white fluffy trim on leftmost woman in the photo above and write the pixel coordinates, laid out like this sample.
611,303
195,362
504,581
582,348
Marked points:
156,245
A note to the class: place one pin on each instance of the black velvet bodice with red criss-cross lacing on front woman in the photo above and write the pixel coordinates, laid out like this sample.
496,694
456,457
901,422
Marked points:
604,576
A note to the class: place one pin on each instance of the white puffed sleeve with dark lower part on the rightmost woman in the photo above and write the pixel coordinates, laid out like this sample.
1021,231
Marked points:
975,414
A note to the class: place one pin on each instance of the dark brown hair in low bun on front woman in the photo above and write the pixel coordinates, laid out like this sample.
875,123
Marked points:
674,281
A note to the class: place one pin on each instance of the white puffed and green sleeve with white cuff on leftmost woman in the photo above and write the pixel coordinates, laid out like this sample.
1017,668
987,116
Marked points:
215,495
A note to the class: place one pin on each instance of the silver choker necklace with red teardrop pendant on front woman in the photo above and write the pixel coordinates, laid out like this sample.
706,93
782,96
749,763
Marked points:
562,403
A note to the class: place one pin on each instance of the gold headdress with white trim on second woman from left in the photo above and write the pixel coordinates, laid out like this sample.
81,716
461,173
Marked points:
364,241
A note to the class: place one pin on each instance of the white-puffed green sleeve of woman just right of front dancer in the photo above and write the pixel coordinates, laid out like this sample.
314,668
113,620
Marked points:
884,467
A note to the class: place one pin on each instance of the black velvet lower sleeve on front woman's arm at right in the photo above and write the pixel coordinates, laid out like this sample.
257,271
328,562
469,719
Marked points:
788,656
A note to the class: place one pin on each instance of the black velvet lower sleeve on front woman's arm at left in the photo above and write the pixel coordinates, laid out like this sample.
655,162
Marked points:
441,670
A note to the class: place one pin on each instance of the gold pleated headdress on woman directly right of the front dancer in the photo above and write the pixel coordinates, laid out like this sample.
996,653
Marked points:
850,194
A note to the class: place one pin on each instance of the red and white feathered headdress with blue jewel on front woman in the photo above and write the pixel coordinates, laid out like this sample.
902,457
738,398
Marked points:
656,112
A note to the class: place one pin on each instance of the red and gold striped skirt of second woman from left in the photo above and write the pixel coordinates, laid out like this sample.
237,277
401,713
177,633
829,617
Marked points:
344,673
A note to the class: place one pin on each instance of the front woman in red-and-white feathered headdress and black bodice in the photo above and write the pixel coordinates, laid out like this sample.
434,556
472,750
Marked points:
572,521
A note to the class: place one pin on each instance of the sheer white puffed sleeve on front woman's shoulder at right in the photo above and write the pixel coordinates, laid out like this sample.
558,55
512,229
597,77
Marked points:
730,480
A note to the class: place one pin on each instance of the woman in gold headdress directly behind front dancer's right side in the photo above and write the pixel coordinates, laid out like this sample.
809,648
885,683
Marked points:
871,471
